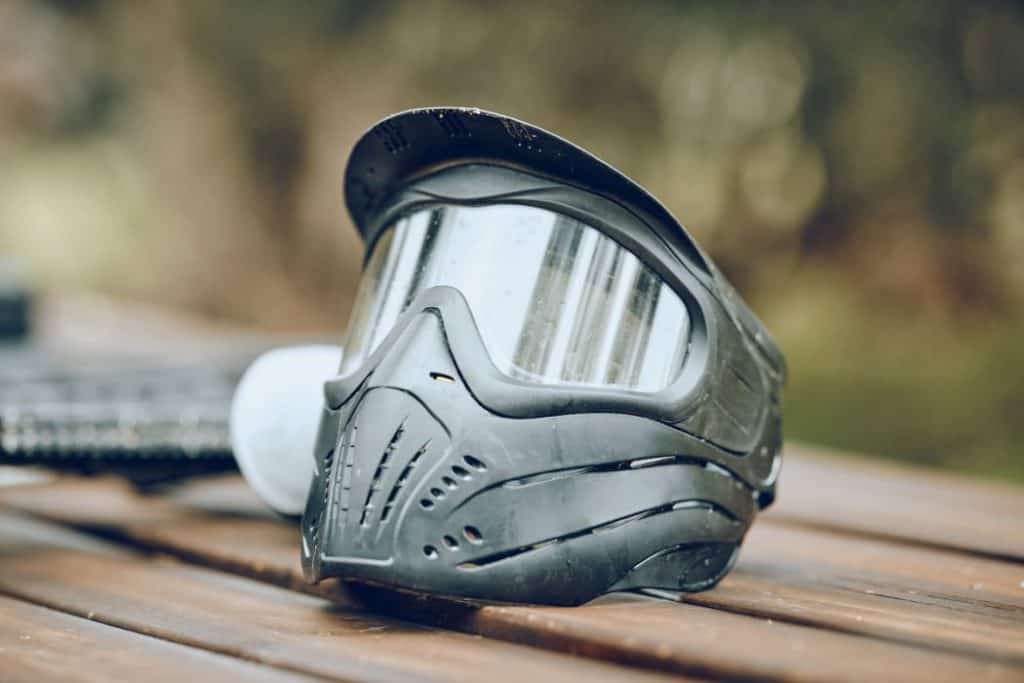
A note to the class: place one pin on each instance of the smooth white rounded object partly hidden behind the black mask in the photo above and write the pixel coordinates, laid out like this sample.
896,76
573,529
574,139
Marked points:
275,417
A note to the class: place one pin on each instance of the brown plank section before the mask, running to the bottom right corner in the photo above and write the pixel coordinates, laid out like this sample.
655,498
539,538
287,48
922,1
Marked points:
634,629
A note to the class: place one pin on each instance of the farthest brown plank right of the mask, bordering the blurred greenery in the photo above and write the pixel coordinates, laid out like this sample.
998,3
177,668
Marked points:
914,505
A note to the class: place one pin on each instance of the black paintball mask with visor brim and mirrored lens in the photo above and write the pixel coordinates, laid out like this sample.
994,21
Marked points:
548,392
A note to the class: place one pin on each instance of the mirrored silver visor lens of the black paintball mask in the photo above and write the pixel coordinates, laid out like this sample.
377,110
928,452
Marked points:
557,302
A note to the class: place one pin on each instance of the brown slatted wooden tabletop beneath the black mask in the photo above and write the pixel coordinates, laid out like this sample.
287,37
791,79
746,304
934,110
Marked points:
862,572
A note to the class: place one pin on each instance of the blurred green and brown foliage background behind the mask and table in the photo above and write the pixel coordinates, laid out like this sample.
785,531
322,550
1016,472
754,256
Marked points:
858,169
